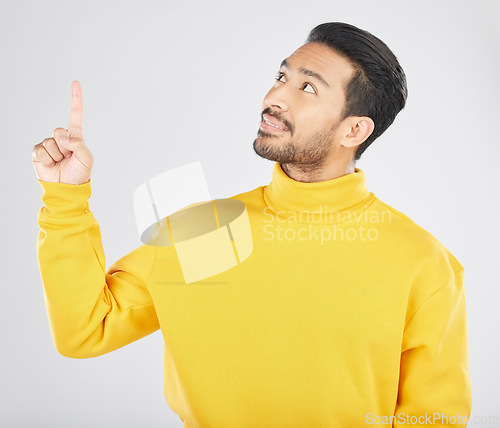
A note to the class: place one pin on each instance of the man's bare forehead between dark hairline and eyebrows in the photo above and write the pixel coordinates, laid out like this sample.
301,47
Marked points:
335,69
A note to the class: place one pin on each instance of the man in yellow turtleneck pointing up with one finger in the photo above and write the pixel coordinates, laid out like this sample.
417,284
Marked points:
346,313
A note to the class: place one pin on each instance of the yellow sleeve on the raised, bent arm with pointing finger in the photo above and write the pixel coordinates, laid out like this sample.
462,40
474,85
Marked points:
91,311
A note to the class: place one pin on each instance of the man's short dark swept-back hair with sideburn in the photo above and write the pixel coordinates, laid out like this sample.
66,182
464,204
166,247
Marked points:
378,88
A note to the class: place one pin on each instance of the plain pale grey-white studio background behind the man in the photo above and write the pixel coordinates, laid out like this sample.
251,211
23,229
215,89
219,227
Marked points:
167,83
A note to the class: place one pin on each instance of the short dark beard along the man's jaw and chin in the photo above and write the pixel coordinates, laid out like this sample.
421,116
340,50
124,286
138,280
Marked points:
306,154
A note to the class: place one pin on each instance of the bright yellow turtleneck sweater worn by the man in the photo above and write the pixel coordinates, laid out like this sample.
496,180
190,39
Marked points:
345,313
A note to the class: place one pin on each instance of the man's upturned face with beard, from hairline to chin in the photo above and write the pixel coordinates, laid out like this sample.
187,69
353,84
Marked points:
303,109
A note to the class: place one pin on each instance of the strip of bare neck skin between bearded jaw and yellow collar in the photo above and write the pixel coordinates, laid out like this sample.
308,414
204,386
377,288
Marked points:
314,174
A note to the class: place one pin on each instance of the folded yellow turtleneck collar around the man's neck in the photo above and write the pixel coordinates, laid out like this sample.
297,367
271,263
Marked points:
286,197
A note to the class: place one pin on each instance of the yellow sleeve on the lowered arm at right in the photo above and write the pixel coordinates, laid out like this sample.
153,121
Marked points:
434,372
